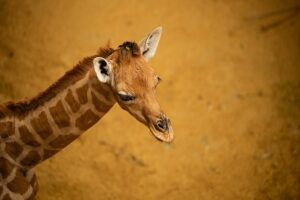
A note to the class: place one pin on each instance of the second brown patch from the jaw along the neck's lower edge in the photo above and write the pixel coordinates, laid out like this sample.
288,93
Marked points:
86,120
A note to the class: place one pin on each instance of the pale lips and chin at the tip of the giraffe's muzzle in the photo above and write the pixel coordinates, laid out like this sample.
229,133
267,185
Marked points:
163,135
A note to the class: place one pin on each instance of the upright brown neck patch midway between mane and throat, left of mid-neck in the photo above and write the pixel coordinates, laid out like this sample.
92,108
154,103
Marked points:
41,125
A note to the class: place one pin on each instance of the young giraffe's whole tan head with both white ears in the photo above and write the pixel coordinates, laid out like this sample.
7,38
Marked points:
134,82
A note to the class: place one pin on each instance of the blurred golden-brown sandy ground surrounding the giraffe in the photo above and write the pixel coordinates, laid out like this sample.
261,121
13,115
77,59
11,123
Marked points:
231,85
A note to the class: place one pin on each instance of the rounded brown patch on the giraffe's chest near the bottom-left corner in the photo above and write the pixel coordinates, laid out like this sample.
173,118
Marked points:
19,184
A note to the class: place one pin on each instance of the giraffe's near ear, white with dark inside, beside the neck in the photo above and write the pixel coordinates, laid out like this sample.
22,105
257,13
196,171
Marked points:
103,69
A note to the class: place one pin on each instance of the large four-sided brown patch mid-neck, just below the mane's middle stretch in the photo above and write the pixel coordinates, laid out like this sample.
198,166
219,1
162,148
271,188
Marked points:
60,115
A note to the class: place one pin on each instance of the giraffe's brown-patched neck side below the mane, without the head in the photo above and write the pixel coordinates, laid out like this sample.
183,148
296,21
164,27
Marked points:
55,124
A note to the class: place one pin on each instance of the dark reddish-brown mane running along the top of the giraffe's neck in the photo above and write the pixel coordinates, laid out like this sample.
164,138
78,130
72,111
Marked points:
70,77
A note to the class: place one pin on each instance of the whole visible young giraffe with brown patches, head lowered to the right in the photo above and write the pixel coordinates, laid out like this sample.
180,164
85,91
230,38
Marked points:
32,131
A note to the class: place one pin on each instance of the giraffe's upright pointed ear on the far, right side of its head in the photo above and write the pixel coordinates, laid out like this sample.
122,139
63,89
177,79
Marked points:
149,44
